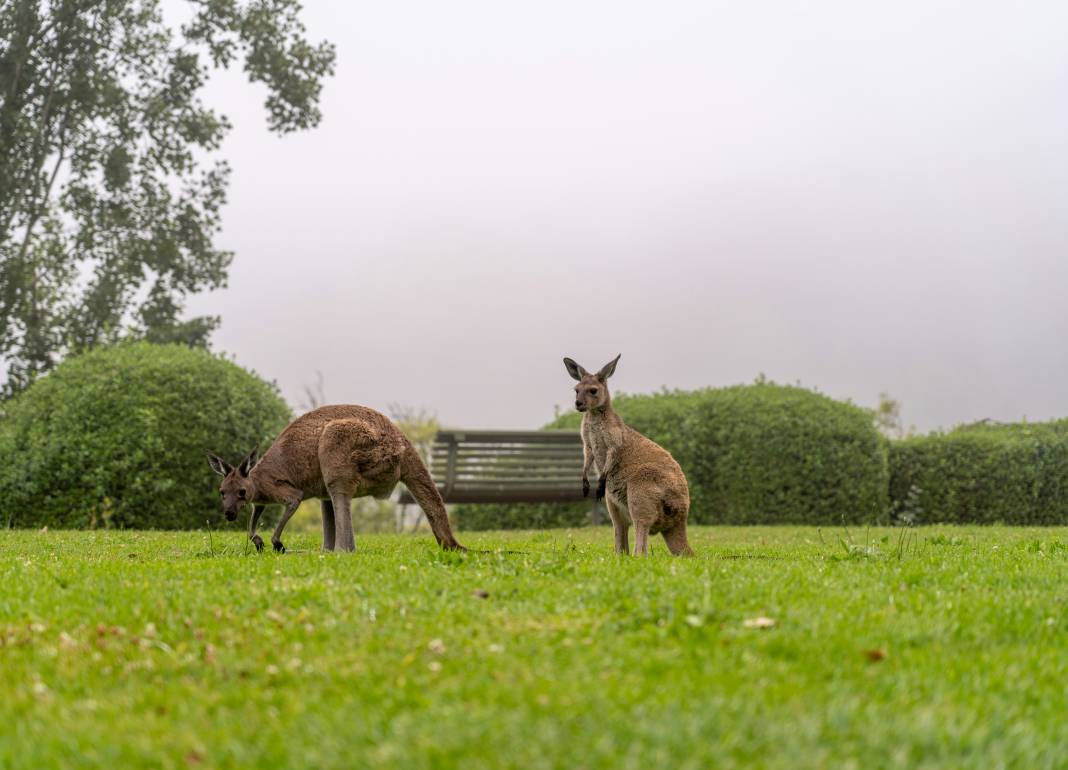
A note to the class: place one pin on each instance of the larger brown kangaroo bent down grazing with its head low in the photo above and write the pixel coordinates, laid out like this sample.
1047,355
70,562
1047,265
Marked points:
335,453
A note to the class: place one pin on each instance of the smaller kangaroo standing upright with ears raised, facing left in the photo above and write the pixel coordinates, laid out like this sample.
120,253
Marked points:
639,480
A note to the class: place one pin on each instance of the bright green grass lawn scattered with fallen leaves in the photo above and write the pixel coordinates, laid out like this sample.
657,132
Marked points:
949,649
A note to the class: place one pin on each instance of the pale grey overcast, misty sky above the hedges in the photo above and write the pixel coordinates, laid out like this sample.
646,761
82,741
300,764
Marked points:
860,197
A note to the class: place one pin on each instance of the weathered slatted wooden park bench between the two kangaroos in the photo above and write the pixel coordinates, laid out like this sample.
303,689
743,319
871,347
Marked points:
508,467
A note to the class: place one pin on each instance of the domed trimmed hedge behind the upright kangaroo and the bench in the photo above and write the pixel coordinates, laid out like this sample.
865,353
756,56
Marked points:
752,454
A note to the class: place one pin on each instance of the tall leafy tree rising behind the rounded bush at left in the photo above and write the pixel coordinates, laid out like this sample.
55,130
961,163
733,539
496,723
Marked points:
111,195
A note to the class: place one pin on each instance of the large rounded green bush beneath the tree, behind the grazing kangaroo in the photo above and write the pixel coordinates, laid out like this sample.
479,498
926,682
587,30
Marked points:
117,438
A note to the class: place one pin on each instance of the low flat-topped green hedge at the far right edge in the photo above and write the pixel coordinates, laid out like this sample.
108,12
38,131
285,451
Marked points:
1015,474
